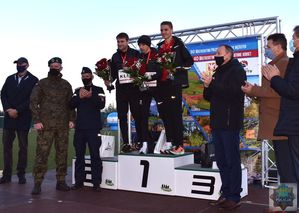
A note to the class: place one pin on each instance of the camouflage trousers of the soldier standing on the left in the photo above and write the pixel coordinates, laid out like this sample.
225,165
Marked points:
45,139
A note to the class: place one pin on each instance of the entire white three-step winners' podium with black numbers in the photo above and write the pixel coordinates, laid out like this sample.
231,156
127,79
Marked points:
174,175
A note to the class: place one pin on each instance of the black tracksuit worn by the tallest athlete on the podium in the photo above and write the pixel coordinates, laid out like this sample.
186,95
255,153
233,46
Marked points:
170,92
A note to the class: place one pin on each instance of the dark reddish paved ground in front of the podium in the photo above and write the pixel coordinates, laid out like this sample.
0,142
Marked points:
16,198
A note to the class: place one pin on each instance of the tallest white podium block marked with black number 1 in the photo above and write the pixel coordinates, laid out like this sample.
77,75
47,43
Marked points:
151,173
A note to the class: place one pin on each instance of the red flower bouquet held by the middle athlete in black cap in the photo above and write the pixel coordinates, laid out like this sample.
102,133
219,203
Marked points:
136,69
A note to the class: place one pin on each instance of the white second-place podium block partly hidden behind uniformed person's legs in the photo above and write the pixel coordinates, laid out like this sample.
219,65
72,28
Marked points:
109,173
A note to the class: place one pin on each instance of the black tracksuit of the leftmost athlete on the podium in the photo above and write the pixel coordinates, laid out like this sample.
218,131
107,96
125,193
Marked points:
126,94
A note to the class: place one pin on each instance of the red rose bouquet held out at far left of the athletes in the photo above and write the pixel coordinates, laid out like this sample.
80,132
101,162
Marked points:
103,70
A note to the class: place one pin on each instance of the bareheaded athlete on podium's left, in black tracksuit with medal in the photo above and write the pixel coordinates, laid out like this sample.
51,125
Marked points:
127,94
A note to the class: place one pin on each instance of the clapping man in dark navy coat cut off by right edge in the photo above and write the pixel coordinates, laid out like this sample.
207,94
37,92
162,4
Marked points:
288,121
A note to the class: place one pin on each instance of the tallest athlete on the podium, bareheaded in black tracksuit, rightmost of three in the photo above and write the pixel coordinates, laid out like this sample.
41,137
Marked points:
171,89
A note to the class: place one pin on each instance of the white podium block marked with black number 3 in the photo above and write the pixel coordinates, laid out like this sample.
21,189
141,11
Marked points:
204,183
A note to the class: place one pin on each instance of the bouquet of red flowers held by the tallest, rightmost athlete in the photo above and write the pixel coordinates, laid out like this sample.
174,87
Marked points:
166,60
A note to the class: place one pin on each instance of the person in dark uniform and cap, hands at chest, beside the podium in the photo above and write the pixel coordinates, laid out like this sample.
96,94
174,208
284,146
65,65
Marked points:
88,100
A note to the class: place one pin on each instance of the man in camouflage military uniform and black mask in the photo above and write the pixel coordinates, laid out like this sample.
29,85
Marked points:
52,119
